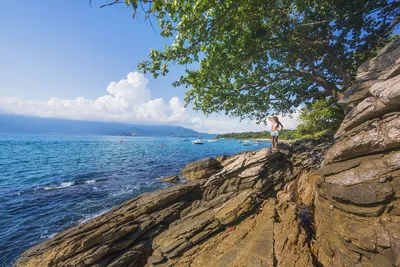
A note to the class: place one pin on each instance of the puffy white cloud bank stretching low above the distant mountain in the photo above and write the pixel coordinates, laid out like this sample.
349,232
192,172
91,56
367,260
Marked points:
129,101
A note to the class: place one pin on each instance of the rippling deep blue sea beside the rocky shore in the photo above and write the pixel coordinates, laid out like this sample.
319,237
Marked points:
49,183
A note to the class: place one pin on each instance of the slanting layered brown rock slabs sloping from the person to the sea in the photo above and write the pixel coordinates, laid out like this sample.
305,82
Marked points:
158,228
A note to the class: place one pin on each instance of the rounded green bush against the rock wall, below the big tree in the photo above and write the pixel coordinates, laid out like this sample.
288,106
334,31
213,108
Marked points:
322,115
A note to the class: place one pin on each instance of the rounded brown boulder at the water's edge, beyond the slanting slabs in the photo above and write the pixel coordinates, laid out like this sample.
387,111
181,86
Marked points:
200,169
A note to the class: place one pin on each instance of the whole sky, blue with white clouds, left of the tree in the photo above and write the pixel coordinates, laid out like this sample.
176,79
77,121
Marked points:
65,59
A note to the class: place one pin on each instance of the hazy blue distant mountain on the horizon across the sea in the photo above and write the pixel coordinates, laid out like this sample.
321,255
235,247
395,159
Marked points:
35,125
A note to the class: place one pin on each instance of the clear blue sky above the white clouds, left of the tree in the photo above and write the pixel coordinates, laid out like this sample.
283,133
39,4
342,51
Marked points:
69,49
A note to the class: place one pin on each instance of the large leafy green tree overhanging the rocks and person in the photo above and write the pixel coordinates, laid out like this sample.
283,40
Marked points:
261,57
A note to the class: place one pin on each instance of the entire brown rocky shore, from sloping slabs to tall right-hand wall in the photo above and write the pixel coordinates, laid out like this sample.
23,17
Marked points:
312,203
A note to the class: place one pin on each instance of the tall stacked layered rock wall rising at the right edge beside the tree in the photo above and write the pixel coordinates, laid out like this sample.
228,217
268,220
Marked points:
358,202
